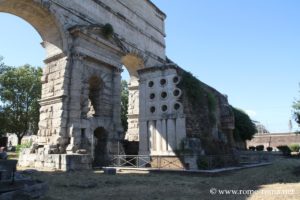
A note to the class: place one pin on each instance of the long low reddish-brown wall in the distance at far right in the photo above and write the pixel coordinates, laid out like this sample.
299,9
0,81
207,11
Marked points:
274,140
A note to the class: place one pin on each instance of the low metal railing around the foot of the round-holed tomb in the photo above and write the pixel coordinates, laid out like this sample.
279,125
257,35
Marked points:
184,161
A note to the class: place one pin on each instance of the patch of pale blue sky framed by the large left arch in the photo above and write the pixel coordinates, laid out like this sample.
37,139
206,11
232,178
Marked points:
13,45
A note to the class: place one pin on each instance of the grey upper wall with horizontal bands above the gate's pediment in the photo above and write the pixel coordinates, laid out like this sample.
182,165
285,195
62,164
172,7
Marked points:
138,23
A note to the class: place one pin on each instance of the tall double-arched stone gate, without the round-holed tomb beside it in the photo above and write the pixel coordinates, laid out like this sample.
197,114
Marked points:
78,53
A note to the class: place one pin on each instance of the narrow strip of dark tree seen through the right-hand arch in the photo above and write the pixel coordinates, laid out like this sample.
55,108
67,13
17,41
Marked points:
124,104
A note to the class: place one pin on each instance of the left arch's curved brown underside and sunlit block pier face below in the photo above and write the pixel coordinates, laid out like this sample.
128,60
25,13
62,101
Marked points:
47,24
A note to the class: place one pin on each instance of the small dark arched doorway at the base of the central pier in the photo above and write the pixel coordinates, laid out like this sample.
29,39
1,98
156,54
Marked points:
100,147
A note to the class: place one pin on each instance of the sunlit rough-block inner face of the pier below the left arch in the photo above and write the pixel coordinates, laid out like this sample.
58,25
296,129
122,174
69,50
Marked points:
53,118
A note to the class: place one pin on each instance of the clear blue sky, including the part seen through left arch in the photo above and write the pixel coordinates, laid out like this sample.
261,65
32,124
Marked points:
247,49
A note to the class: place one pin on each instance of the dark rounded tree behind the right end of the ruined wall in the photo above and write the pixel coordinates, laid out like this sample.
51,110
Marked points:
244,127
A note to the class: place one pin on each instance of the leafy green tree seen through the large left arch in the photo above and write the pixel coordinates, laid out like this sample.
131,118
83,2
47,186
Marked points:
20,91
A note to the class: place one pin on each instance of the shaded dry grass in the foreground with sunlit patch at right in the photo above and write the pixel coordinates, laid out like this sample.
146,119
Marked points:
282,176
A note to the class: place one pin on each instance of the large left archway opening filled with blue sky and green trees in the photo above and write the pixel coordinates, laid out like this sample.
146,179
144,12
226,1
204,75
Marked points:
21,53
